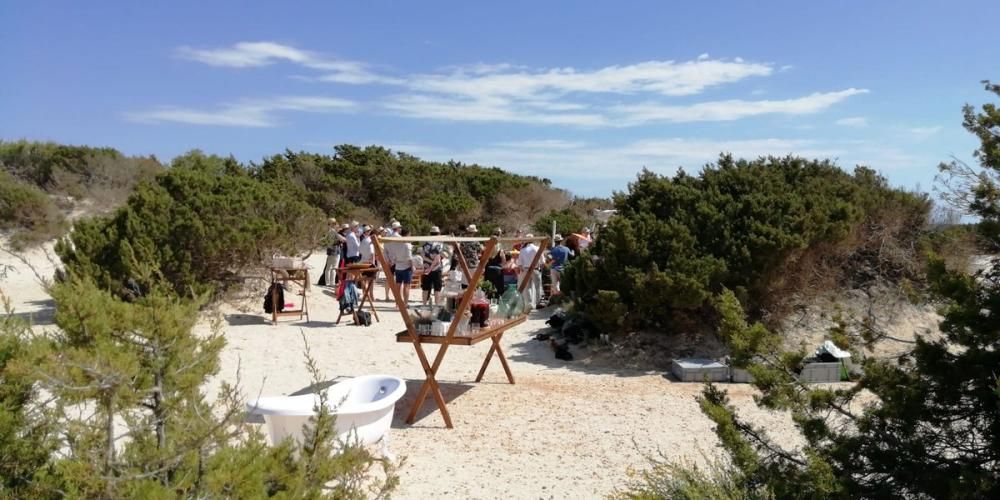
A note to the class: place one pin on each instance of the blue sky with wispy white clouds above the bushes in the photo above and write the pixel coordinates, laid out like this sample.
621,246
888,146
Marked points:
584,93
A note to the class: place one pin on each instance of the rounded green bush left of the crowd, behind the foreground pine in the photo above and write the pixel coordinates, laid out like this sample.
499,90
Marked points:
199,223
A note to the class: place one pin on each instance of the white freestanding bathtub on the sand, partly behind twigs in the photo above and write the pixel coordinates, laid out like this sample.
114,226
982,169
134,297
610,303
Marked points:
363,405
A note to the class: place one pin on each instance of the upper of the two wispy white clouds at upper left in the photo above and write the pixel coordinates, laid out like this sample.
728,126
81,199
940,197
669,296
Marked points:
257,54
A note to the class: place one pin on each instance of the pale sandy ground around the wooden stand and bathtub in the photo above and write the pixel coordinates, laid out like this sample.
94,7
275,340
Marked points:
564,430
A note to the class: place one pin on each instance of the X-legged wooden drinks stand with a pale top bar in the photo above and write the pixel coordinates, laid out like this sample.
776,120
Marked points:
494,333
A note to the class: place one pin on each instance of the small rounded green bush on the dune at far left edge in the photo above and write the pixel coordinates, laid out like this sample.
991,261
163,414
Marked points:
28,212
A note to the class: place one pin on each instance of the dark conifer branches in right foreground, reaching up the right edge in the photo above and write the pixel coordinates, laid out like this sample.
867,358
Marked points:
923,425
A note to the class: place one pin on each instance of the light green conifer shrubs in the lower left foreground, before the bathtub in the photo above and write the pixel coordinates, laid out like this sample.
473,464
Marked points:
125,415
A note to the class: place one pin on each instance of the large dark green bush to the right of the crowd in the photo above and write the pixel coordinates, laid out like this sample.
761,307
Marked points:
750,226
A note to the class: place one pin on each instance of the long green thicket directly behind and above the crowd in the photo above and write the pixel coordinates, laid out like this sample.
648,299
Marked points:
418,193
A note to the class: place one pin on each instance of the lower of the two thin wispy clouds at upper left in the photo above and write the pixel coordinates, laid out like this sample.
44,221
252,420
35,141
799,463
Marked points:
245,113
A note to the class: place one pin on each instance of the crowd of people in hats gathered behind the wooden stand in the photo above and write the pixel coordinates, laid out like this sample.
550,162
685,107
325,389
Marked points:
353,245
